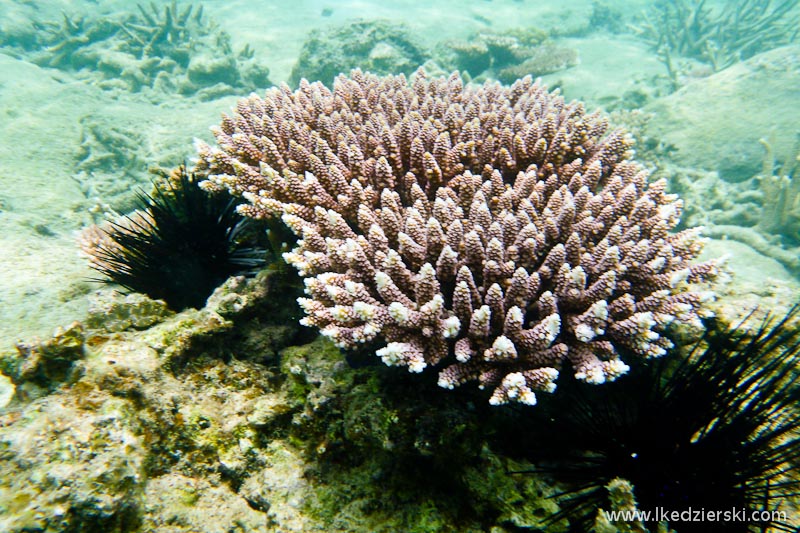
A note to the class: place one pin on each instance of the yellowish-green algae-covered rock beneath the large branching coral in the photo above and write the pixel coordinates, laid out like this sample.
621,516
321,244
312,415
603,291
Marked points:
157,421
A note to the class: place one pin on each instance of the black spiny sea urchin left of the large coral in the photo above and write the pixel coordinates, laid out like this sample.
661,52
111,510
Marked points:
178,247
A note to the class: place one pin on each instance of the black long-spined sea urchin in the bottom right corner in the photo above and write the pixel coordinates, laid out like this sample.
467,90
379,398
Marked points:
714,431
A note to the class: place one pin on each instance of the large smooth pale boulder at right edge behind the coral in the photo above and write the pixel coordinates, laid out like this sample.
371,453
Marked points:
715,123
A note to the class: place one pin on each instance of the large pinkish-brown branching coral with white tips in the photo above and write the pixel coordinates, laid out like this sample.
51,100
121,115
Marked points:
496,229
